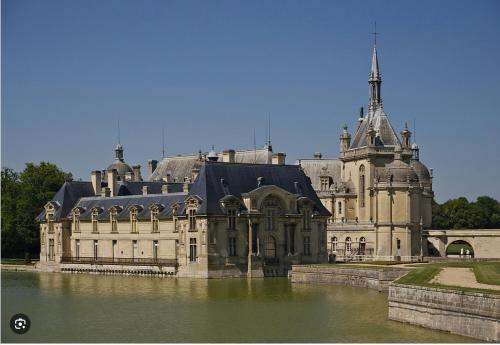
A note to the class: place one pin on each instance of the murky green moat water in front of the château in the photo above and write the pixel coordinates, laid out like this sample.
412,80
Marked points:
97,308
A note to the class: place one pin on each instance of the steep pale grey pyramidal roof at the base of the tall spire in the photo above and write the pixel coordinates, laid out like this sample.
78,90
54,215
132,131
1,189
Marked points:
386,136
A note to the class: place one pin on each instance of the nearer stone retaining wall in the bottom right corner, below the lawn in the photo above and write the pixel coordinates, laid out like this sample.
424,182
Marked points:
475,315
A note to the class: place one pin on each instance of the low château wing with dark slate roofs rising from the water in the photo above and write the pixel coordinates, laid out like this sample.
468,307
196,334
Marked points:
233,220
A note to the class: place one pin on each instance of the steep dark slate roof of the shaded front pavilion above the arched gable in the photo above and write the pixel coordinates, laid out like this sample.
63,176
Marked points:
242,178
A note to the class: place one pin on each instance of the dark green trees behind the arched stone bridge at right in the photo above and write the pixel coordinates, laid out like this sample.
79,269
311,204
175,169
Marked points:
459,213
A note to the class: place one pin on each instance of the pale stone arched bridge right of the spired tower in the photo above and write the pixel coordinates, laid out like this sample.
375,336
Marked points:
484,242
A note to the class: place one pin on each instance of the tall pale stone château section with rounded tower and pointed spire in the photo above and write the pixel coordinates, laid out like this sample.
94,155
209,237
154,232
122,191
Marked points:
378,191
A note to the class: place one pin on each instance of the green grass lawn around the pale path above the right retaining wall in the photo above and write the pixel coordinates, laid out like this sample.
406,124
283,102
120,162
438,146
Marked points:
485,272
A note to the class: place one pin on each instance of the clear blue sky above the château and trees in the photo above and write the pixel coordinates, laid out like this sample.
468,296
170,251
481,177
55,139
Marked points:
211,71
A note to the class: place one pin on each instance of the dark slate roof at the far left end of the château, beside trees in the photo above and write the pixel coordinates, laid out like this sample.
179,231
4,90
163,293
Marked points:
67,196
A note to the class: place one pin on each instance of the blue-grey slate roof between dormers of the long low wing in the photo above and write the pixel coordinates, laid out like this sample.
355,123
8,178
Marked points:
144,201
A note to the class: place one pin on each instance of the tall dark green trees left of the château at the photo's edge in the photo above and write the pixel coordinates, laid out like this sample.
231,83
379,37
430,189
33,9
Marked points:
23,196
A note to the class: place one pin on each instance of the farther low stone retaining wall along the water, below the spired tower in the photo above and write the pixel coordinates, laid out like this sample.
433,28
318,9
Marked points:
373,278
